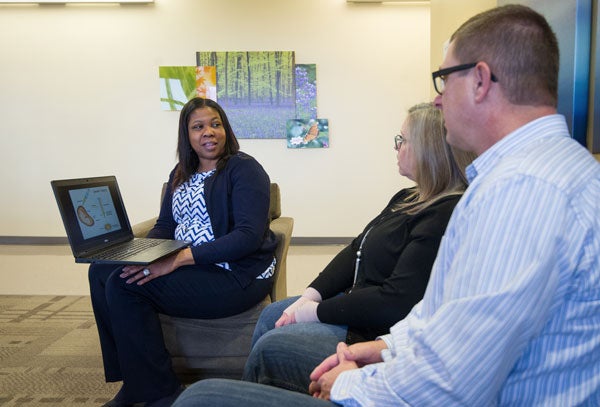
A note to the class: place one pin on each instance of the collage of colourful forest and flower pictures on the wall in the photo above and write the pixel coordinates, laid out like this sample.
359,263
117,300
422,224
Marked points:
265,93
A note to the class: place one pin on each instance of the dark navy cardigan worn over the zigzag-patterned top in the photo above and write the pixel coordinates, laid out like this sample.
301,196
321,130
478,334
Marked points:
237,201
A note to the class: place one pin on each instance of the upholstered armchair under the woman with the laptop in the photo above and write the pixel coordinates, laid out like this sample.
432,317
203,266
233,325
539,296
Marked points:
202,348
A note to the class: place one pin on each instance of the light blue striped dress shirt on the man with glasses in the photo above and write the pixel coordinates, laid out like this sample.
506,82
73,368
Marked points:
511,315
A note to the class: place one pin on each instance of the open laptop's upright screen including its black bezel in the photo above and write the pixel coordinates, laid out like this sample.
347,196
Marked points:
93,213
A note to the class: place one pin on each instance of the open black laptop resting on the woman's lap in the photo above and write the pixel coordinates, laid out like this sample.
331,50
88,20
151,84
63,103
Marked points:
97,225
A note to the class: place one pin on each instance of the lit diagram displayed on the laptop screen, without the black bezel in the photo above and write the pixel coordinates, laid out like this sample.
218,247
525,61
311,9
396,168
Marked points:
95,211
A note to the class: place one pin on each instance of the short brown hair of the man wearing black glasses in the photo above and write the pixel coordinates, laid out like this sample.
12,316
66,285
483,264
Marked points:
519,46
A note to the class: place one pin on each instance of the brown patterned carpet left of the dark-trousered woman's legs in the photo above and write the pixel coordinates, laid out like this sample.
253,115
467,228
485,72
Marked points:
50,353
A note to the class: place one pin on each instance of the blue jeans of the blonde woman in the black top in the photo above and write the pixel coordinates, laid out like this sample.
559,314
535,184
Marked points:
285,356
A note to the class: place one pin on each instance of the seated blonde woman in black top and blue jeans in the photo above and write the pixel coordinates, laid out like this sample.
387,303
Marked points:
375,281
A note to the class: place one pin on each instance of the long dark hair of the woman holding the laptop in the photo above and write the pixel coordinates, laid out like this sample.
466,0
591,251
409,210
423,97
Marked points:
188,159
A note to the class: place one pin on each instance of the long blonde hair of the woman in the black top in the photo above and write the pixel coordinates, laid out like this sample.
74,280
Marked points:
439,168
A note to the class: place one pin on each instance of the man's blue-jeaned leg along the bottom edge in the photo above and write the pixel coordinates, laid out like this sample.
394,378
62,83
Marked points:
233,393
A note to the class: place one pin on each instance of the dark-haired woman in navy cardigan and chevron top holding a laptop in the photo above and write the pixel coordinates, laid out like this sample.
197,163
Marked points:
217,199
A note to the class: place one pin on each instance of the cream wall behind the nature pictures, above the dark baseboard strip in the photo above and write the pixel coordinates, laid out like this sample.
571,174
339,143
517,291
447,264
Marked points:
79,97
